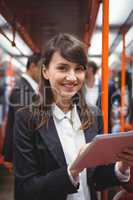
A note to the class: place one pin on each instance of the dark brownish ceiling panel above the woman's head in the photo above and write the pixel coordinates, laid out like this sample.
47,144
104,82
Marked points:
41,19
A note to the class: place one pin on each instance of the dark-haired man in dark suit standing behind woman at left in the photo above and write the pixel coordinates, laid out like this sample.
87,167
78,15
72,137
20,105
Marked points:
22,95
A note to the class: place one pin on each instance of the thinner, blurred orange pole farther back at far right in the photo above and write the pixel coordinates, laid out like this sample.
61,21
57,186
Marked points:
123,81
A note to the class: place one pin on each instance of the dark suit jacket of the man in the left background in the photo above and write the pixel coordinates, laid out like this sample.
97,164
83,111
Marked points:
21,96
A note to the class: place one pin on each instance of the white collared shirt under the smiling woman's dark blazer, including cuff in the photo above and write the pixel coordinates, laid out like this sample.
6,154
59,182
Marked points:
72,138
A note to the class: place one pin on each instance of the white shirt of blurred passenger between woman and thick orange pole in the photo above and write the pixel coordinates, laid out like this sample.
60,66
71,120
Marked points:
91,93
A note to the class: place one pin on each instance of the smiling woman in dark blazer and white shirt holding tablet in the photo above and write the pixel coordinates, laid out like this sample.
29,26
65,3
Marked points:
49,134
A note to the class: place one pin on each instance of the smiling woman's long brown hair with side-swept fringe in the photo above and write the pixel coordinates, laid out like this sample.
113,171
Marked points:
72,50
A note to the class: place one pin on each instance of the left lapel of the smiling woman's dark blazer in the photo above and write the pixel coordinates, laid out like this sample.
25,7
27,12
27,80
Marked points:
51,139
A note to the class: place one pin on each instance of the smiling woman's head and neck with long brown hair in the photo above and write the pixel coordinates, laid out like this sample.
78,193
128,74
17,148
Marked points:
63,75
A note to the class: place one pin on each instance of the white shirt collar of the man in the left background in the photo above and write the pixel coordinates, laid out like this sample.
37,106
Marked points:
32,82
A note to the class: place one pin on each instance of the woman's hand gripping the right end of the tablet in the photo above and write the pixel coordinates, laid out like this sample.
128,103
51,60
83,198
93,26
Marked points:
126,159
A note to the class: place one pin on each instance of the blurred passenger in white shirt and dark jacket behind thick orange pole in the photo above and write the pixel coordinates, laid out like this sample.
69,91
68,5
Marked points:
93,89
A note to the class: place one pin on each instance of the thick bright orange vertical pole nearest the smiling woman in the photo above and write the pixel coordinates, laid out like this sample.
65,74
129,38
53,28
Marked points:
105,70
